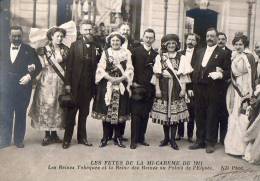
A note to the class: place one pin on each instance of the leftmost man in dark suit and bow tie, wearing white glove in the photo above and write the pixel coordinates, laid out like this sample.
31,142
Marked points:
20,64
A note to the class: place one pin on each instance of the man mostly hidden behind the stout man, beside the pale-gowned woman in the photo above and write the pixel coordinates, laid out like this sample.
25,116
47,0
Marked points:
223,113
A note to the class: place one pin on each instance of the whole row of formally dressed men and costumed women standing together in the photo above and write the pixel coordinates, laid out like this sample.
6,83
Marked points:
212,86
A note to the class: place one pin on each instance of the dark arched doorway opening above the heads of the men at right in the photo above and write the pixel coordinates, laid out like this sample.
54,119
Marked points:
203,19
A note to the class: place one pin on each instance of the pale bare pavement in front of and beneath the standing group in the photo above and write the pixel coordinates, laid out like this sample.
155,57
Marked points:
38,163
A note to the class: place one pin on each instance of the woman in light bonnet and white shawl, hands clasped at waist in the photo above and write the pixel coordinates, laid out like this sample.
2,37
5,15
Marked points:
114,77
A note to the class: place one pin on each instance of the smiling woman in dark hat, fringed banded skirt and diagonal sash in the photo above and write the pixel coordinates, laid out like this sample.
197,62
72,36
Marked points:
171,73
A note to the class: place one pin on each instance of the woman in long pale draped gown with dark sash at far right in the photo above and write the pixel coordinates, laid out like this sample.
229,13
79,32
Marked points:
243,74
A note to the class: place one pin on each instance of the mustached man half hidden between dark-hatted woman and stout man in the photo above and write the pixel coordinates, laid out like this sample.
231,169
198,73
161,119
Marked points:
189,52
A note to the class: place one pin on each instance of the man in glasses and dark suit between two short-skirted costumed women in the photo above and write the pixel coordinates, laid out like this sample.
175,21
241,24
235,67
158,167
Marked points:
143,58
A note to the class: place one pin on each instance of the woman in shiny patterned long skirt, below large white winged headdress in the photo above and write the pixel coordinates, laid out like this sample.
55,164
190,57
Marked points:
45,112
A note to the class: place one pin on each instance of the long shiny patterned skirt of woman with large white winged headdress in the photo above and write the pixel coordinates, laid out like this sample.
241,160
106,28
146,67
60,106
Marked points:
45,112
